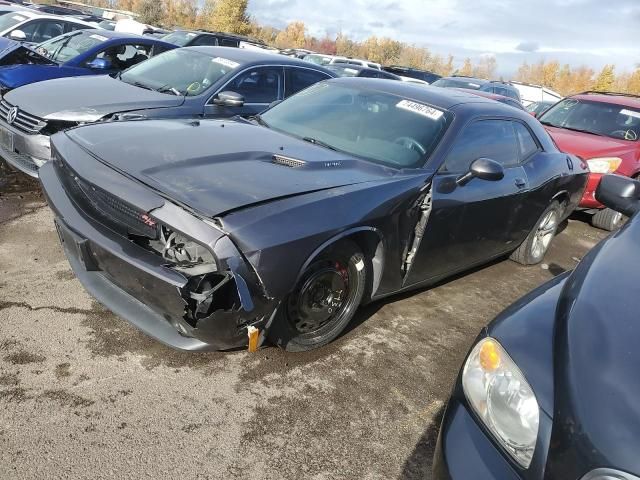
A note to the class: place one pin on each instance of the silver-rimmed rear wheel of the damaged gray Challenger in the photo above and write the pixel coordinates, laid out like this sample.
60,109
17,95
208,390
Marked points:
535,246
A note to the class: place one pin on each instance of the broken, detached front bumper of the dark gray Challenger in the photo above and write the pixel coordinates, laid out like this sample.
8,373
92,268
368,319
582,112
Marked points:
140,287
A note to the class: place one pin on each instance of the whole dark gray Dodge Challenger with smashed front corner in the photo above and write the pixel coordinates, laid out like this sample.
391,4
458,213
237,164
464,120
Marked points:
211,234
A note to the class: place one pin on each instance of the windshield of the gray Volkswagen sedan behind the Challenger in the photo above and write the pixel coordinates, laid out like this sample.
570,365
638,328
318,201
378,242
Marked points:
182,72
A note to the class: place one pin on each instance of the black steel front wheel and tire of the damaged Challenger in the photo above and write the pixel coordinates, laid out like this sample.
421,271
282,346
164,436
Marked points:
324,300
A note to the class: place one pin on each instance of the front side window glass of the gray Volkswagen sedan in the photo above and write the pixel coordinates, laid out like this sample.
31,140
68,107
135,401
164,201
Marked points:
258,85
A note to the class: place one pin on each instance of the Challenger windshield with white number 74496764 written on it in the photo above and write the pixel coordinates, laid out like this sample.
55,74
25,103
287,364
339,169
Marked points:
373,125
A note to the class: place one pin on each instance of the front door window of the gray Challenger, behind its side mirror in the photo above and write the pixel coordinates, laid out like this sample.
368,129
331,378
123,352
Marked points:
494,139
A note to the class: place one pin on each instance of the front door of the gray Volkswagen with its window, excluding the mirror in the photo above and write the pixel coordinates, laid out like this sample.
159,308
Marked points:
259,86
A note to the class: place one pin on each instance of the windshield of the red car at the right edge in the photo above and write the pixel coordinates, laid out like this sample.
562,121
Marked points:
598,118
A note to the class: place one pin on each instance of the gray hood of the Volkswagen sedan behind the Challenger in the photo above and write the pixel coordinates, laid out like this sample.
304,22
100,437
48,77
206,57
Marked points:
86,98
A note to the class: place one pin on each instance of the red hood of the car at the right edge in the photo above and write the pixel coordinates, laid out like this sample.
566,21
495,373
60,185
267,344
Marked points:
589,146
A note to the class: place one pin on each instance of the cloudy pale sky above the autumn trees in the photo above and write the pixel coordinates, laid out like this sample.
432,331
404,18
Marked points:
589,32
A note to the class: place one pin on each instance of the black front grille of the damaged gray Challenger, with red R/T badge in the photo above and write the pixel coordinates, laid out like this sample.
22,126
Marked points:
104,207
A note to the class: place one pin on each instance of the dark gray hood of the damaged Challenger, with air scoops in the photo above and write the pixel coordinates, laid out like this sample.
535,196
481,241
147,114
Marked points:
215,167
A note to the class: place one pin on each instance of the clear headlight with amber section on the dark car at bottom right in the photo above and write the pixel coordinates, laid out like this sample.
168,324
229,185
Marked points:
501,397
